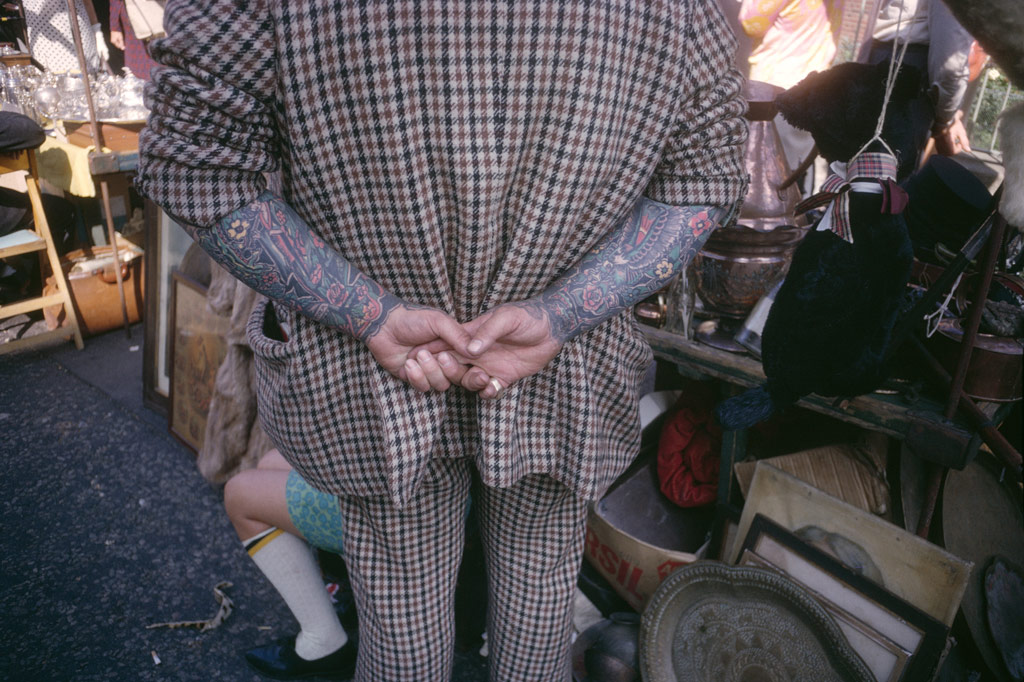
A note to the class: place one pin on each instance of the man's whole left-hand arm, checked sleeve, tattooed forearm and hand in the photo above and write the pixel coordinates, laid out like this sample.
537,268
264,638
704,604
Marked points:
210,137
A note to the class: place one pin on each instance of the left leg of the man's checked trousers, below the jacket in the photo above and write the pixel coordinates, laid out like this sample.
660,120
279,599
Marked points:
403,565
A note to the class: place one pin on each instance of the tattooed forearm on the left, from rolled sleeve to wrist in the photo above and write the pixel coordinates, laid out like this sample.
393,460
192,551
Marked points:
273,250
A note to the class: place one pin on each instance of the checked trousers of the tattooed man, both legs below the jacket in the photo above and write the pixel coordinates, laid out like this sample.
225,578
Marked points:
404,564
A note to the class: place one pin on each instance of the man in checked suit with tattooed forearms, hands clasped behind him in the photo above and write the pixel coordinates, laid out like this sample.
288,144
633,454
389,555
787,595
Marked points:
476,193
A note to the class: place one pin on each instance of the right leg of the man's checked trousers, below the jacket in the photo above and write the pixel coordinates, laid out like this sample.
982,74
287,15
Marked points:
534,538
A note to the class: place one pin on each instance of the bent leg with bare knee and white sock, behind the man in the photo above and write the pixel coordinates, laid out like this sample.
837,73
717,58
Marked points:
258,504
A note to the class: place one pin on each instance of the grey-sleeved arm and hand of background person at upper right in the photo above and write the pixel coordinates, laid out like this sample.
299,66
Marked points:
949,52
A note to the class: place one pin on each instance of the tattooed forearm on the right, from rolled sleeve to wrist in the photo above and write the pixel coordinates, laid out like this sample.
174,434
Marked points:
654,244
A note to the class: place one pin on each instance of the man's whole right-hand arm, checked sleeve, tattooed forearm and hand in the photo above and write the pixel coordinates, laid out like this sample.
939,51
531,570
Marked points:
702,167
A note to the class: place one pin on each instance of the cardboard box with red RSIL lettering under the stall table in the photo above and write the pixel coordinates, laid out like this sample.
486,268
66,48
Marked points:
636,537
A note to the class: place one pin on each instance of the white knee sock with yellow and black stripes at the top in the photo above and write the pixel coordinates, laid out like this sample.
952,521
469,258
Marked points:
288,564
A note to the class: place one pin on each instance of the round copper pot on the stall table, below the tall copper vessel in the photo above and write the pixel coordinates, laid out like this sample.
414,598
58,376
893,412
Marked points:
738,265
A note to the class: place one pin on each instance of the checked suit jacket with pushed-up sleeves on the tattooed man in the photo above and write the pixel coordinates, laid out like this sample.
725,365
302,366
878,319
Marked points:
463,154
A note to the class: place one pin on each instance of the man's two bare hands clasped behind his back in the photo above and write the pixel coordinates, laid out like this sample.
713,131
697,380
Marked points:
432,351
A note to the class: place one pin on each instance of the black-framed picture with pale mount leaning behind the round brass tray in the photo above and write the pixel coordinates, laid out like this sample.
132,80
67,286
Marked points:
897,641
